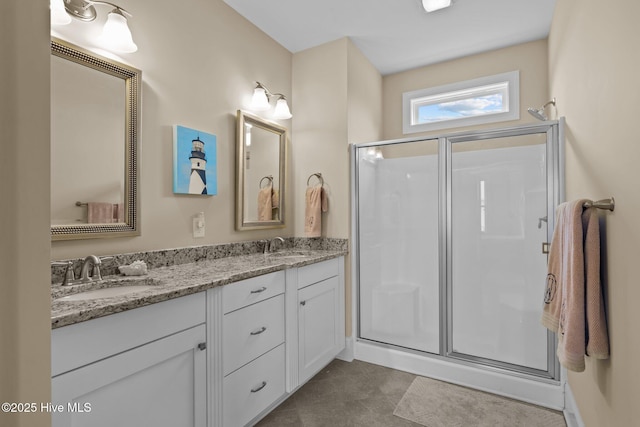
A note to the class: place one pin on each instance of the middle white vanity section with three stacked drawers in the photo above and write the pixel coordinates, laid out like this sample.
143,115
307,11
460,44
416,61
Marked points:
250,328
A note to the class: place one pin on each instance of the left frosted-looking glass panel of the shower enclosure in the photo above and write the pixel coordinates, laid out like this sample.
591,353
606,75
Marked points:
398,244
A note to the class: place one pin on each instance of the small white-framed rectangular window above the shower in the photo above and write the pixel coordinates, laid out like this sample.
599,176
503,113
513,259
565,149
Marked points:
487,99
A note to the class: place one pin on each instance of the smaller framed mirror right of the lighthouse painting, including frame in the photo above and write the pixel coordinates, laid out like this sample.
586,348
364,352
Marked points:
261,173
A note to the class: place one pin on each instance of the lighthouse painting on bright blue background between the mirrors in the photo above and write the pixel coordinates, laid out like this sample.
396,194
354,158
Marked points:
194,162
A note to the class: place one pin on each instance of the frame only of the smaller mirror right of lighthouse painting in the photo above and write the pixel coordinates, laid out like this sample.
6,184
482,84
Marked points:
243,118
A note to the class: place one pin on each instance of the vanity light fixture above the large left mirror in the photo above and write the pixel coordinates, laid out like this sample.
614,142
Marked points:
116,35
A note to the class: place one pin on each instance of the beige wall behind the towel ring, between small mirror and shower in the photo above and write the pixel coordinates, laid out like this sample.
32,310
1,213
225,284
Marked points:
338,97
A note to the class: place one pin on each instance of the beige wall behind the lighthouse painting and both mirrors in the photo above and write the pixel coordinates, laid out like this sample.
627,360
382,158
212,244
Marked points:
199,65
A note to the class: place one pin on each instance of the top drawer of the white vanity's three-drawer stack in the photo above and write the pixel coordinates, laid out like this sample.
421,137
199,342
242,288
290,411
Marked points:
251,291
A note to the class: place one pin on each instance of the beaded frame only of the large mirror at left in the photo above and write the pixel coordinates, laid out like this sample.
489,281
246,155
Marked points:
133,83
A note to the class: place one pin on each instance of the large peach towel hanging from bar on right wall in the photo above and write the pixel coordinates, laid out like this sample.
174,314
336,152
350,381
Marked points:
574,307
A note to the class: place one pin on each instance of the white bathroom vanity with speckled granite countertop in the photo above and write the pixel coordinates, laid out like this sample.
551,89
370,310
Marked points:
226,346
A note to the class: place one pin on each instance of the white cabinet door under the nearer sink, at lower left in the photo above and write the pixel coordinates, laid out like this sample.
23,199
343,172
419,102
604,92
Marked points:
162,383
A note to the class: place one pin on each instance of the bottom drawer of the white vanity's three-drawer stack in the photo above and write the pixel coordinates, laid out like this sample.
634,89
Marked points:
252,389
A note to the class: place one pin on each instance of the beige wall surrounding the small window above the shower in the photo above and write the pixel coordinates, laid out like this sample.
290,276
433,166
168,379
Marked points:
530,58
